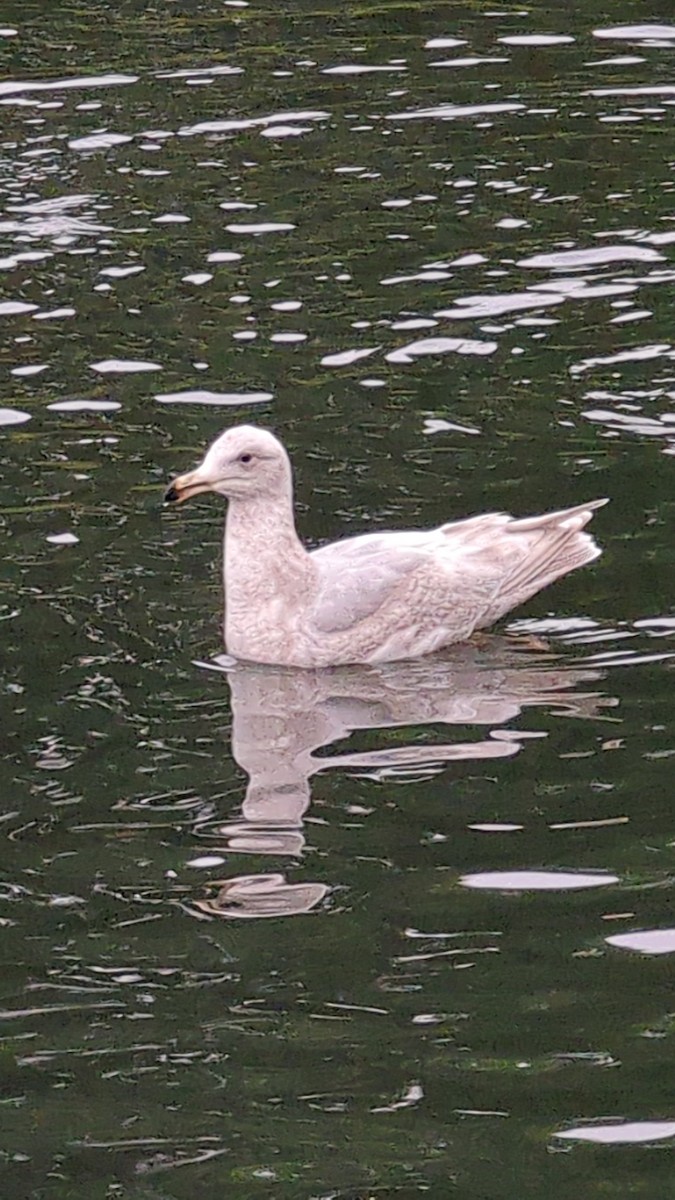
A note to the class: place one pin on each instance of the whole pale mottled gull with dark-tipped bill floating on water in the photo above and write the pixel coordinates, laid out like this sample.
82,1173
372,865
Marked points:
371,599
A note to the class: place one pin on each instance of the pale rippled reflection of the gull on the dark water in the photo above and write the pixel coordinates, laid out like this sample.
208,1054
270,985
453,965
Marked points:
283,717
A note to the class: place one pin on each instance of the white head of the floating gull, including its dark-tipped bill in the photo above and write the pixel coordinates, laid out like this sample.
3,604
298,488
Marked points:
246,463
